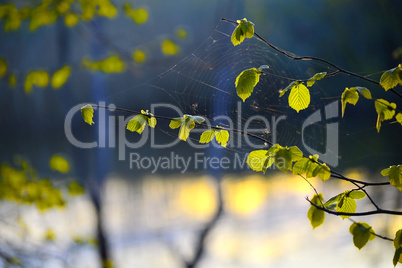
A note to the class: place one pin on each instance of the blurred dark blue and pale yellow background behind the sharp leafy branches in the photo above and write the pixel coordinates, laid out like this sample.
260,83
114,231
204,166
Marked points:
67,206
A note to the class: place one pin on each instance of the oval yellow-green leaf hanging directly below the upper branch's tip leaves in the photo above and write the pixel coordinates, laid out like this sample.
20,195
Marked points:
246,81
